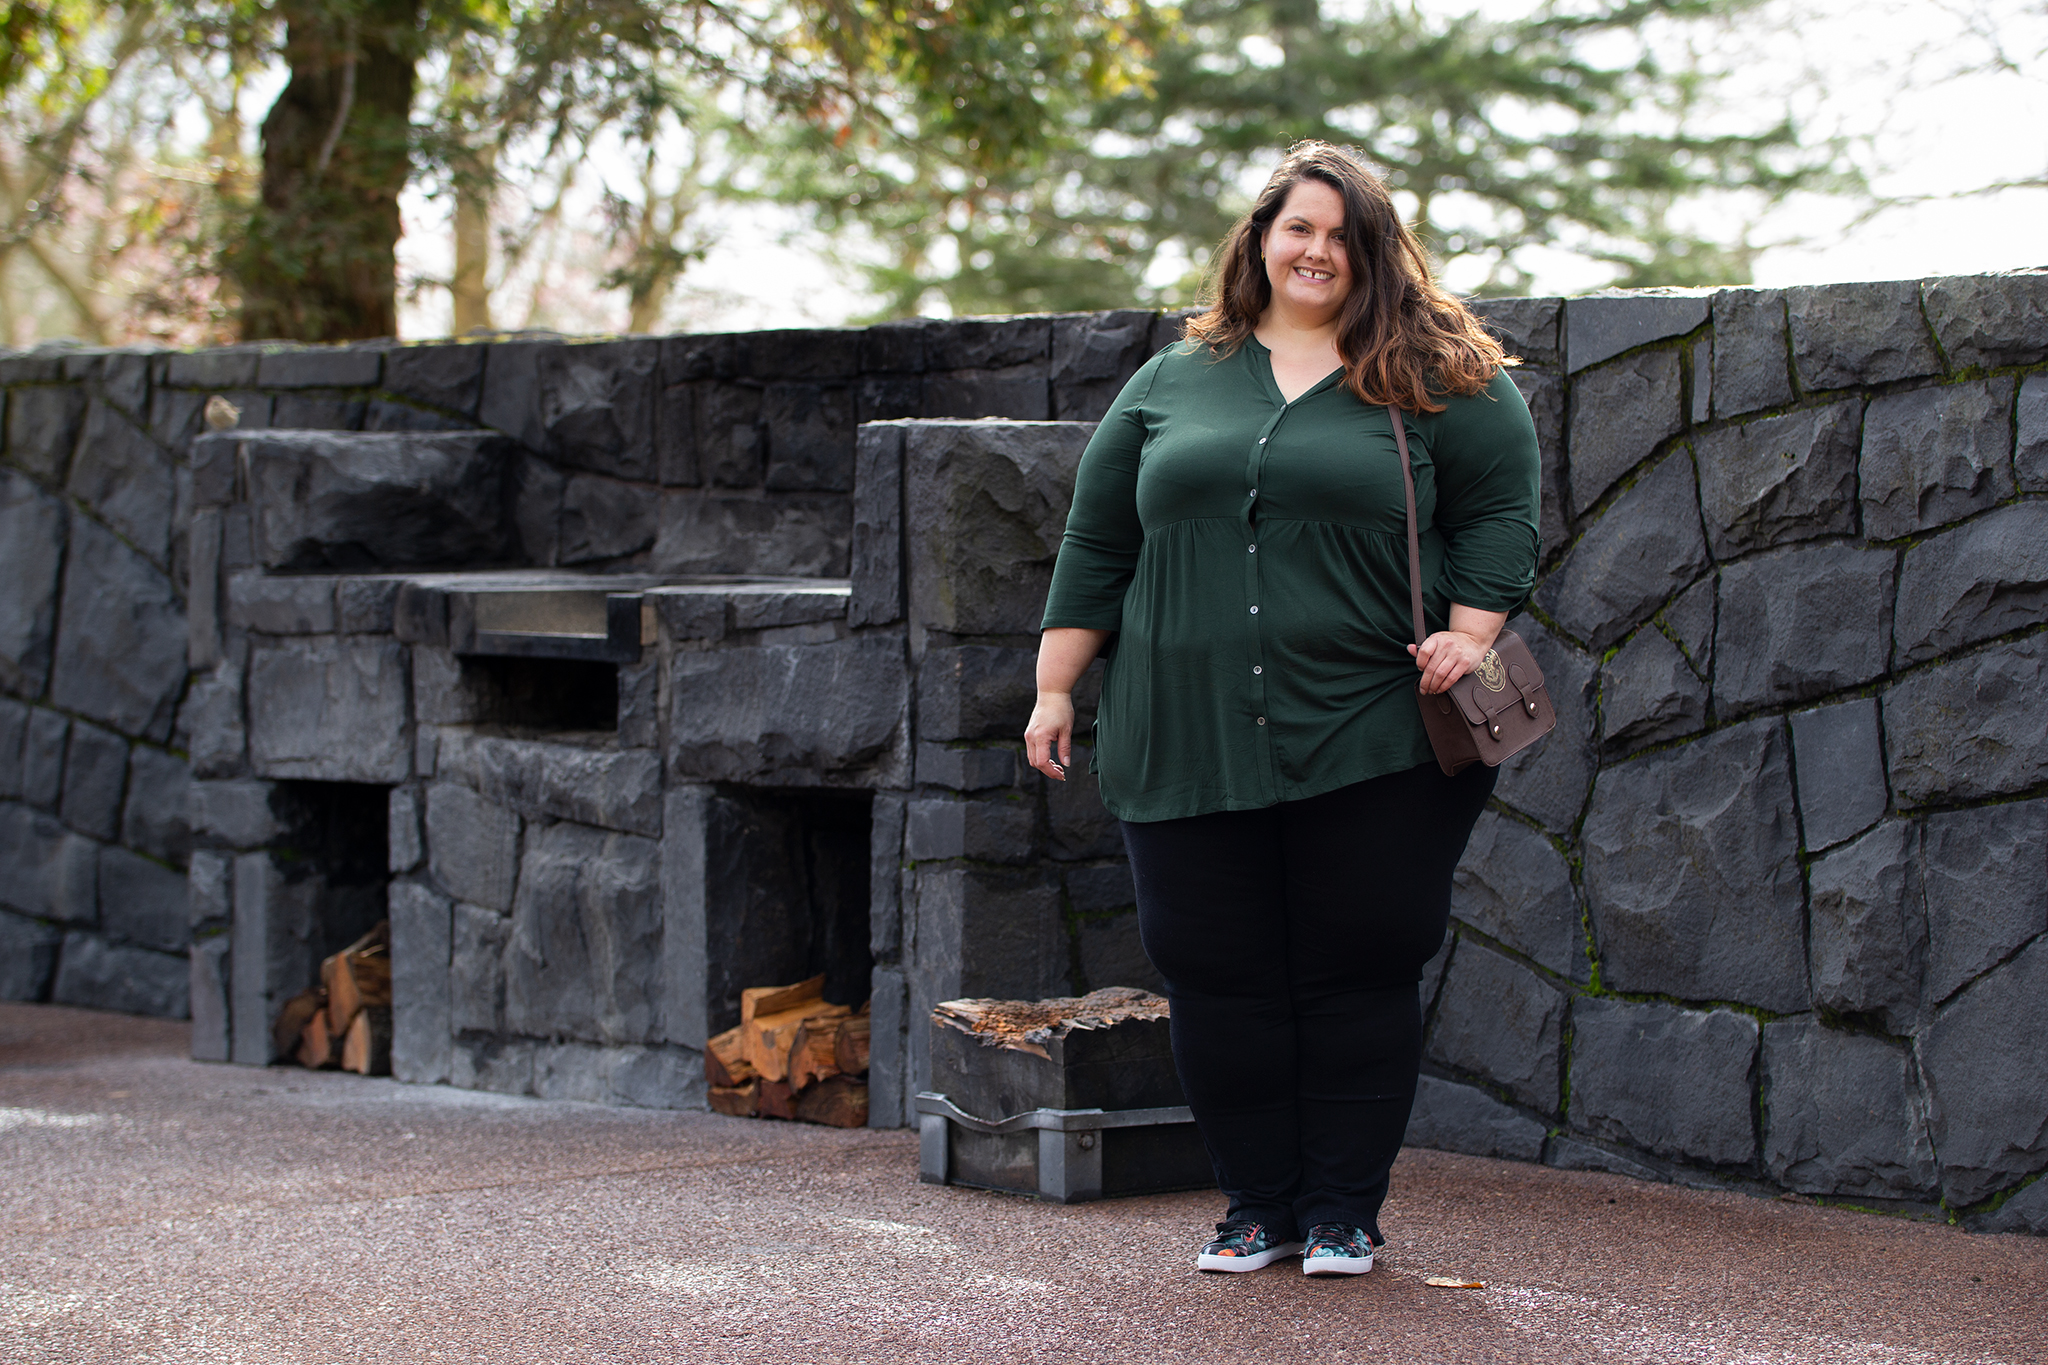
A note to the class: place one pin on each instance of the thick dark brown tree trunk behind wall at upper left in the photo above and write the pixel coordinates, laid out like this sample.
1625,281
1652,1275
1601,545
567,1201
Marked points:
321,259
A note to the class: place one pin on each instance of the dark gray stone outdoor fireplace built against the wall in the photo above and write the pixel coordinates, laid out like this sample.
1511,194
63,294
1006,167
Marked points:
609,793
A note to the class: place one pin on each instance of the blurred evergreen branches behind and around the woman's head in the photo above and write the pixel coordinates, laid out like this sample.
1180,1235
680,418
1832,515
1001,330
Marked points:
1560,130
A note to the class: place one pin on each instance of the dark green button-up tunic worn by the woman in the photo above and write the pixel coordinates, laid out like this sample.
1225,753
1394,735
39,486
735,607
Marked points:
1252,560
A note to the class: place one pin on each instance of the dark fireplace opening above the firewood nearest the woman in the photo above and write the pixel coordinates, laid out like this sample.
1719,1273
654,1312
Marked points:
787,895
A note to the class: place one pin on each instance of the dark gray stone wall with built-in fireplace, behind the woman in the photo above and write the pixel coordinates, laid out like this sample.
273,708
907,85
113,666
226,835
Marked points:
1766,912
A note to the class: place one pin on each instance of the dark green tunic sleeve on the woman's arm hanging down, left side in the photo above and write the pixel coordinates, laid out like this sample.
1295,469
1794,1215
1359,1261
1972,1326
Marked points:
1101,549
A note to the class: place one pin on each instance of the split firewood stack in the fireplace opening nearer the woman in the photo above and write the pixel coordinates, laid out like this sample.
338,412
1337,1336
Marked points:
794,1057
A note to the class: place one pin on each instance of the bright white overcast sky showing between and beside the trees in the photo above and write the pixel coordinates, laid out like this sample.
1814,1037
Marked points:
1916,87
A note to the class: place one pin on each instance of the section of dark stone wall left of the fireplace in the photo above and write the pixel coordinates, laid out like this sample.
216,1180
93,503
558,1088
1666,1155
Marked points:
93,834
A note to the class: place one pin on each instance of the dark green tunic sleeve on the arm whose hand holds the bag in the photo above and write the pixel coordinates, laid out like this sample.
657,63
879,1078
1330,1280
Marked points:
1488,488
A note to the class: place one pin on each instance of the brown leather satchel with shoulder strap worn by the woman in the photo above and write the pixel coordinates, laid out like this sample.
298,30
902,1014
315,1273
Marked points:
1496,711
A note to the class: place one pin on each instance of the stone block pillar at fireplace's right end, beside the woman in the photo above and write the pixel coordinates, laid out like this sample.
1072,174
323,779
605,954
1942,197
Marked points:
998,883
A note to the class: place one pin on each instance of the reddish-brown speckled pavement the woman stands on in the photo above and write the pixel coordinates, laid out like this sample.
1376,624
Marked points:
163,1210
